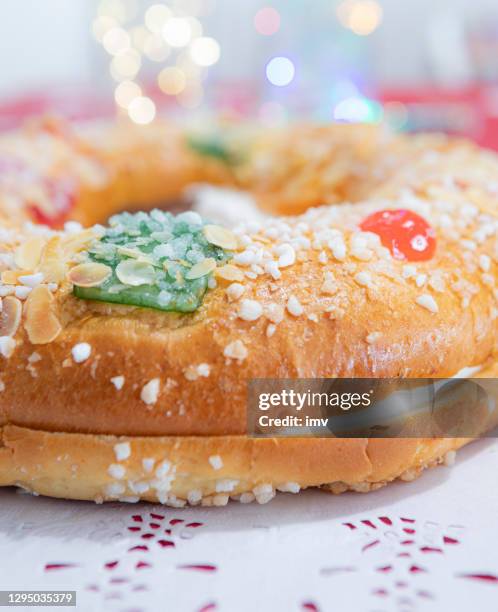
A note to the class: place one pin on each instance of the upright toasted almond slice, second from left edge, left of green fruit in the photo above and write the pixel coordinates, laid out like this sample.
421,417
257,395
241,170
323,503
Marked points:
41,322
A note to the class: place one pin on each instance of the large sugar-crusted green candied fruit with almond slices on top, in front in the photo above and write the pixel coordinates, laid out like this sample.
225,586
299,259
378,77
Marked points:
154,260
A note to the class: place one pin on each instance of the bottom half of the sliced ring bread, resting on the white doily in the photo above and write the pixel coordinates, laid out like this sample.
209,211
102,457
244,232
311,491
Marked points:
207,470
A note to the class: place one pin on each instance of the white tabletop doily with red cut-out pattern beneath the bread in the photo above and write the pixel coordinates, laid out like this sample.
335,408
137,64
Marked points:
429,545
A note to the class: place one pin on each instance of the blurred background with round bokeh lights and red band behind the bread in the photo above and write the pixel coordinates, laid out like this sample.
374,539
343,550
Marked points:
417,64
